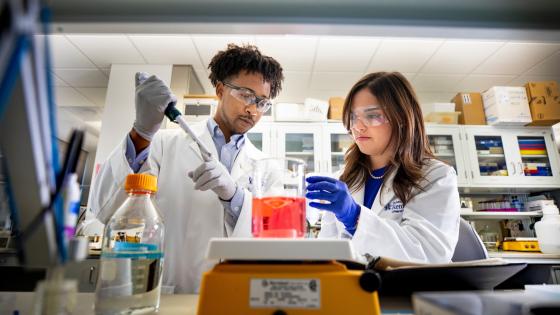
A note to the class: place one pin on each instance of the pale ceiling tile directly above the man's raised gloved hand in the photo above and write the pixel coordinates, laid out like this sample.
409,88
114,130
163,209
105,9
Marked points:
168,49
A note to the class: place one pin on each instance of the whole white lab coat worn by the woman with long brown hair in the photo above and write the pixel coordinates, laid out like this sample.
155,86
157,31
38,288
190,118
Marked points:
425,230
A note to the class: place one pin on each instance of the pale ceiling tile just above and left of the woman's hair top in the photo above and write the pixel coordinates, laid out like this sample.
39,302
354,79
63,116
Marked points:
345,54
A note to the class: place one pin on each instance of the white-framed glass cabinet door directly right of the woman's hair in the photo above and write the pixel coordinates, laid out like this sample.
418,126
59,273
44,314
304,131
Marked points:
447,145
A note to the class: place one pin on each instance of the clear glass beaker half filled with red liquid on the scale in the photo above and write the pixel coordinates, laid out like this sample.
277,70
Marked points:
278,187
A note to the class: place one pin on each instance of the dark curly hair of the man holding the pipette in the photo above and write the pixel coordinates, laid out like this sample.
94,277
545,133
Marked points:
235,59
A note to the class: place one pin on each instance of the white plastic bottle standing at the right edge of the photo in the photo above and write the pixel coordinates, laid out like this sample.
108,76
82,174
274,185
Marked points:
548,230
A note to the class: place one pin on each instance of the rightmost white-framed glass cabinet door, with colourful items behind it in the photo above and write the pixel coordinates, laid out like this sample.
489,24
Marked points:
534,157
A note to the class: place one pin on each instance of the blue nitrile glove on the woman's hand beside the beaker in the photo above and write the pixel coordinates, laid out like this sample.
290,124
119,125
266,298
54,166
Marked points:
340,201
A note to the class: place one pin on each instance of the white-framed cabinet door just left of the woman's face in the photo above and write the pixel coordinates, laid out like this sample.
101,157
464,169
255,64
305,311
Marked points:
335,146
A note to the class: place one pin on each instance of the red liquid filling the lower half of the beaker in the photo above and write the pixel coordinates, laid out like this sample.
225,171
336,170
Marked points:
279,217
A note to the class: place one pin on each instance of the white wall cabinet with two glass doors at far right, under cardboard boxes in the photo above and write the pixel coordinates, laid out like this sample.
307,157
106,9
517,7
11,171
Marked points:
512,157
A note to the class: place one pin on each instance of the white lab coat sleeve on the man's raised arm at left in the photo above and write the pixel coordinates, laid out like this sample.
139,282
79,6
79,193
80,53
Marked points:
108,189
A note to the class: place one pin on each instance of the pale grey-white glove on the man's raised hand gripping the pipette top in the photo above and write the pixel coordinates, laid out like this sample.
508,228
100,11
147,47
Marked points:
152,98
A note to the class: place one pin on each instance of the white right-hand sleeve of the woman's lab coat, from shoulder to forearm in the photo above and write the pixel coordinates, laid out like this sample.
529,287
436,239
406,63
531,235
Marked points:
428,230
